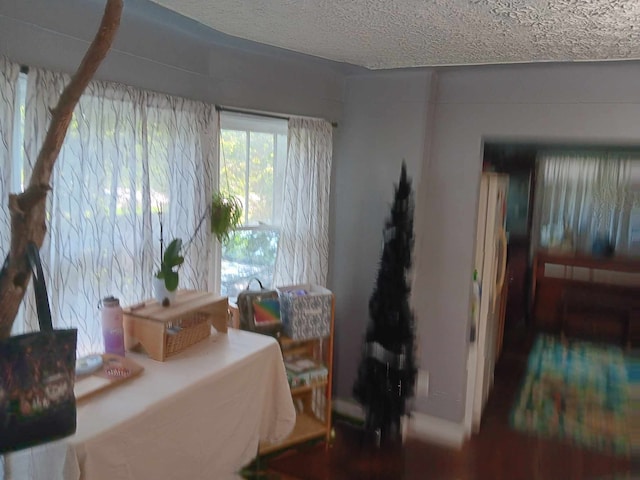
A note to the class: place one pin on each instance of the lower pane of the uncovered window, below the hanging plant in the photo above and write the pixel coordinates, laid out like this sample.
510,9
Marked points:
248,254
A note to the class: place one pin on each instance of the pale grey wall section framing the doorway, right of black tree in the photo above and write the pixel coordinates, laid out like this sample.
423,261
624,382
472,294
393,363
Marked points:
585,103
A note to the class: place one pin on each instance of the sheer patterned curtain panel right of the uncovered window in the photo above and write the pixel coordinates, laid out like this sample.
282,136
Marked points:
303,249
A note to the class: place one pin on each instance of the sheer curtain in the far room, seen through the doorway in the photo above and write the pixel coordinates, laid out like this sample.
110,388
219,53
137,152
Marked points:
584,195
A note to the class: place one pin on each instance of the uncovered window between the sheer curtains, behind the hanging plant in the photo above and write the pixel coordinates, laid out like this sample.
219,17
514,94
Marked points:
252,157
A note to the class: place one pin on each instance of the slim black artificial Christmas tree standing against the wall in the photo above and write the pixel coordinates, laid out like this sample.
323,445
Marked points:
387,371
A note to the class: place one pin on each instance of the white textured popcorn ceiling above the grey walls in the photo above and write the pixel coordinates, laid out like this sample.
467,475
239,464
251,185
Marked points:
411,33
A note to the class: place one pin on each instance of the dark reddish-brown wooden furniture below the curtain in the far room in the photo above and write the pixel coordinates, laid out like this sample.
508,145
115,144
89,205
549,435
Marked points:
585,296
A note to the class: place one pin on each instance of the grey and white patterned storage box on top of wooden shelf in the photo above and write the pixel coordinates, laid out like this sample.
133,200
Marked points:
305,311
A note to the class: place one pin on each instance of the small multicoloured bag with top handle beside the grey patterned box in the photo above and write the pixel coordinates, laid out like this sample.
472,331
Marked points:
259,310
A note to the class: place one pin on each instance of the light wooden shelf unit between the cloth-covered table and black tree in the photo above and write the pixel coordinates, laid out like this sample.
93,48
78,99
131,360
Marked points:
313,402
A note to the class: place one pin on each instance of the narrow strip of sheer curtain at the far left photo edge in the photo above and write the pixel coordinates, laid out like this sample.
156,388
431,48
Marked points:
8,86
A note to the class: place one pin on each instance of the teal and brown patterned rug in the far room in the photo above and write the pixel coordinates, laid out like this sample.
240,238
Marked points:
581,392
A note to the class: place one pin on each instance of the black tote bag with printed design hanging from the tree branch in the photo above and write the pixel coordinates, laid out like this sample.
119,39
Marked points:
37,375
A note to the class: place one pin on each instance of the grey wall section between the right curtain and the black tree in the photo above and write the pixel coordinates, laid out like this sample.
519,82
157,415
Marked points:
384,122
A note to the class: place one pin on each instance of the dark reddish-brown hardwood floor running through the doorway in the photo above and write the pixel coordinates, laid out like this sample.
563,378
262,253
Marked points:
497,452
